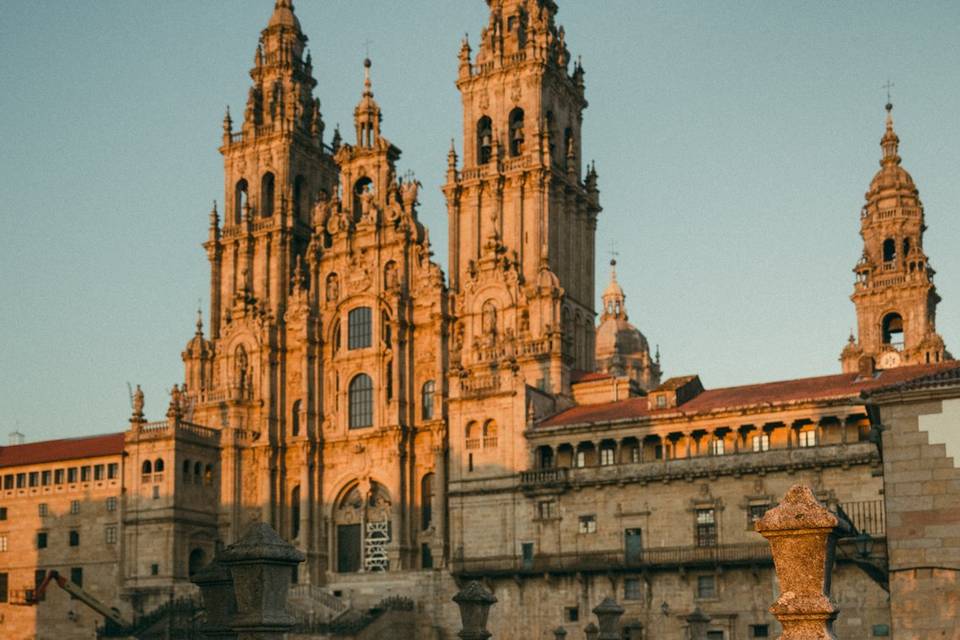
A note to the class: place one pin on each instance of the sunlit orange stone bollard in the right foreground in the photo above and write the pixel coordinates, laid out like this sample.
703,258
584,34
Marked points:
803,536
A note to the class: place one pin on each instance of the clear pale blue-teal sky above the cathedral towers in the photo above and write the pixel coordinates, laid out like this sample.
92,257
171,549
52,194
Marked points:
734,142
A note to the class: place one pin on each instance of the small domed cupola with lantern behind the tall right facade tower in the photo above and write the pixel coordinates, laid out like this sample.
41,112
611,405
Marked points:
621,349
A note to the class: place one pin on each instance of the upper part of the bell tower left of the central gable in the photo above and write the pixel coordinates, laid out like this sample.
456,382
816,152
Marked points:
275,166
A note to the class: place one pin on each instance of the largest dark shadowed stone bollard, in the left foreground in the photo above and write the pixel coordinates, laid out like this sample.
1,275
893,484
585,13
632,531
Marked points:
261,563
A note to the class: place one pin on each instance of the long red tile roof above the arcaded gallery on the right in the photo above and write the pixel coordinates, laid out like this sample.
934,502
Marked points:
841,386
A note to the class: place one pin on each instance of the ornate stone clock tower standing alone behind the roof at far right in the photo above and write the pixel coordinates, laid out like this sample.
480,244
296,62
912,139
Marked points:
894,293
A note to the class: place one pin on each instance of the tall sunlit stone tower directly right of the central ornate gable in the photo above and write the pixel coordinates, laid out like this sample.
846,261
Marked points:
522,220
